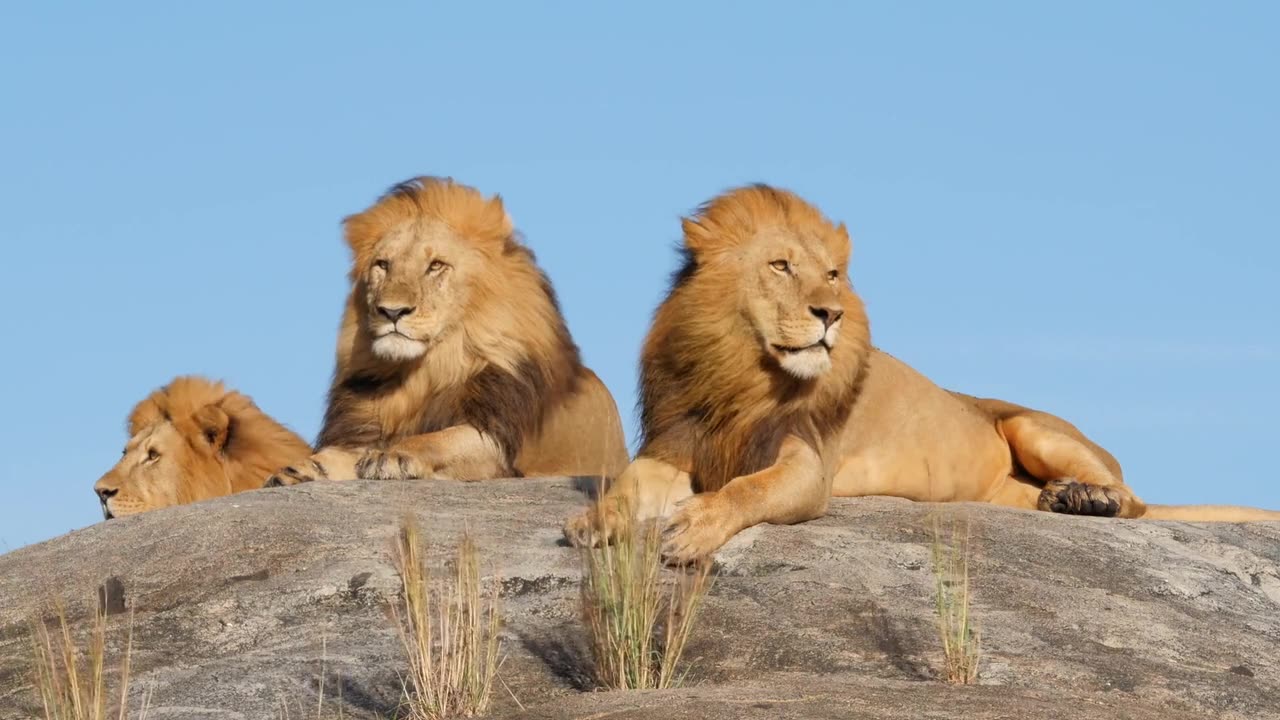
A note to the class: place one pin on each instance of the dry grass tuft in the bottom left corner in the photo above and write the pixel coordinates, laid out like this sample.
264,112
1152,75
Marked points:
71,682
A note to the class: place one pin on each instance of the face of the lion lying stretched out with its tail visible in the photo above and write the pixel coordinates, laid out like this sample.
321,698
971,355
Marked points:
792,299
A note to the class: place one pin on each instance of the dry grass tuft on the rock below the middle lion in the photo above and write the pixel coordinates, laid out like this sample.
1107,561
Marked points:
449,630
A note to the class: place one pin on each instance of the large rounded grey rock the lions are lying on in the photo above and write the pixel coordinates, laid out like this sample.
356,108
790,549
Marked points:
246,605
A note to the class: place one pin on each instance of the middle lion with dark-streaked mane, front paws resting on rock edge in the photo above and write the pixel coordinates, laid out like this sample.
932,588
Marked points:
454,358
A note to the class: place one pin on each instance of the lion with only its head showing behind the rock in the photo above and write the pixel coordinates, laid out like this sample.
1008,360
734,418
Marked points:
194,440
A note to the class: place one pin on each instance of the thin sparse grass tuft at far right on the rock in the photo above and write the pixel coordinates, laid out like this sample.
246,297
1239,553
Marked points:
953,601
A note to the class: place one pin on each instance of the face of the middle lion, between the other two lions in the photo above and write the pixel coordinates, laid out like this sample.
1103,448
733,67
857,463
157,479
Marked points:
415,289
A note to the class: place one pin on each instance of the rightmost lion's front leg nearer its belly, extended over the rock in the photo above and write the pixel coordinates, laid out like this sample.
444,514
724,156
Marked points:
793,490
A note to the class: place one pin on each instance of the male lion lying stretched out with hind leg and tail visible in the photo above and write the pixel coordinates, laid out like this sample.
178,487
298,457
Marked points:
762,397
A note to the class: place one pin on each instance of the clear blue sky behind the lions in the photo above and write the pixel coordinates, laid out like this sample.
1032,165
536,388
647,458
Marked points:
1071,208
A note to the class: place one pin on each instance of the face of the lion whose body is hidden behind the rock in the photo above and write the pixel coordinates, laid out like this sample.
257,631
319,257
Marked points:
161,468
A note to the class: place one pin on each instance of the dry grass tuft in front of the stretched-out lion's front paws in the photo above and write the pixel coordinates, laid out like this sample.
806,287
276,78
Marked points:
638,625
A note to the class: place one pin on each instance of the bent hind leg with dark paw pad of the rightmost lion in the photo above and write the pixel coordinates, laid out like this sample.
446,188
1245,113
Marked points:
1080,477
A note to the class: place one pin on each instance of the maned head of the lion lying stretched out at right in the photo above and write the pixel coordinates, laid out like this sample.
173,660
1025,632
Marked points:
761,335
